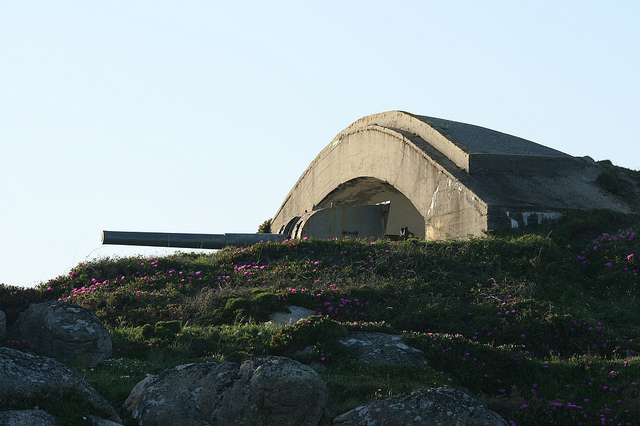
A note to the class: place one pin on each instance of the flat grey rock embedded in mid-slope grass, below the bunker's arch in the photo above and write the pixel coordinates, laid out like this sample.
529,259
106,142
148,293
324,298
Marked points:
383,348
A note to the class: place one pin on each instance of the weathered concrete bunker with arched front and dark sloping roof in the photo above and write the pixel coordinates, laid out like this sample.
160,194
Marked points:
444,178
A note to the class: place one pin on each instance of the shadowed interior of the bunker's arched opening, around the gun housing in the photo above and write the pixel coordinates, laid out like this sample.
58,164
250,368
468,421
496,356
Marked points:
368,190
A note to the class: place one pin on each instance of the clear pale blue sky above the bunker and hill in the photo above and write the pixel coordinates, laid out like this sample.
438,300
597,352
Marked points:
200,116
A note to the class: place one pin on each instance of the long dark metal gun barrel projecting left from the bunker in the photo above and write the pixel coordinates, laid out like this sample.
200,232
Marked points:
194,241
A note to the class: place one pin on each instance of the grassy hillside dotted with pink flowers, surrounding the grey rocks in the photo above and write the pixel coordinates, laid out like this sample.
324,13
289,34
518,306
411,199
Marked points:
540,326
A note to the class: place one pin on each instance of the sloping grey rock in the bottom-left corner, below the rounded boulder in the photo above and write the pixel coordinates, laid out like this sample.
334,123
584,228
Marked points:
25,374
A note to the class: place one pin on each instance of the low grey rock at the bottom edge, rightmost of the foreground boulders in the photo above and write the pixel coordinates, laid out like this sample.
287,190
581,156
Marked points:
440,406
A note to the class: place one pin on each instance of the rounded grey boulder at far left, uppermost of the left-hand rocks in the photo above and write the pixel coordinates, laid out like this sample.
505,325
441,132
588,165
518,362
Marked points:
64,331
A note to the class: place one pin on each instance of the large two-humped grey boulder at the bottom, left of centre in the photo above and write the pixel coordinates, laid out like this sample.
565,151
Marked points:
265,391
